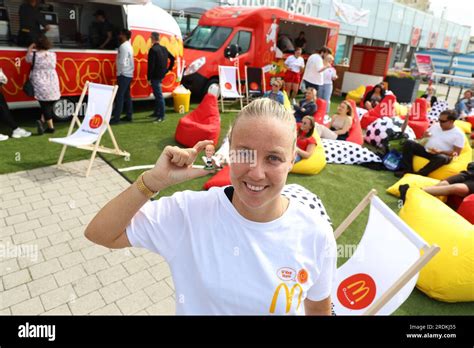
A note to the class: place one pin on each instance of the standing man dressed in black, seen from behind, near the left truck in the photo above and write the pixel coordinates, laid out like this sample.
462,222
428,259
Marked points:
157,69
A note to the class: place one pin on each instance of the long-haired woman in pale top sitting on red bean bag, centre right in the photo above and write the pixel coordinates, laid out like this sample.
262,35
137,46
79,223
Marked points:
340,125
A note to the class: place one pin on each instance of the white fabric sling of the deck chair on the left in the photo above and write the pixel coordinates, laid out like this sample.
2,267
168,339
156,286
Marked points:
95,120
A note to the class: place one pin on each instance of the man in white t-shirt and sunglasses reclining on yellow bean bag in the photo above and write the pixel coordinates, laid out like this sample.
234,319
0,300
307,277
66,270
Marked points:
445,142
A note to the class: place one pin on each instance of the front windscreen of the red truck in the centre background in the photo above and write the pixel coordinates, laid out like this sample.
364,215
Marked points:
209,38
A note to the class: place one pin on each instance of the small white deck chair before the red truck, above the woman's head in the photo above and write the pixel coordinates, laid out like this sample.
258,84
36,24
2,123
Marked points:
229,84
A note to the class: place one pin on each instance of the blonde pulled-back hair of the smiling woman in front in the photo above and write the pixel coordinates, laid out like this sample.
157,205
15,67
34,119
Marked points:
266,108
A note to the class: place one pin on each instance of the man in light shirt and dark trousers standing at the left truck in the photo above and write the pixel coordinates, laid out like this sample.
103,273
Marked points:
125,68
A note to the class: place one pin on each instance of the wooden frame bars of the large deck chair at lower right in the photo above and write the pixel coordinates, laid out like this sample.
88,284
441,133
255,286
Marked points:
428,253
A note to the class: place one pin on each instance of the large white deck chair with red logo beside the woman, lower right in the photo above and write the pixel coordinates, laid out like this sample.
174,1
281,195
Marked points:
383,270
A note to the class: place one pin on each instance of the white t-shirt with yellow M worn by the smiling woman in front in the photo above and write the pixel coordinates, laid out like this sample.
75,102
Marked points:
222,263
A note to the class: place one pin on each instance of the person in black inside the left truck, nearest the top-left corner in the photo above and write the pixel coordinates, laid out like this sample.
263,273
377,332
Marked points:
31,21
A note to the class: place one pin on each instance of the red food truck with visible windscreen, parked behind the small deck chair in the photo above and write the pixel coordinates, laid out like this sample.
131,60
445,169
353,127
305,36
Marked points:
264,37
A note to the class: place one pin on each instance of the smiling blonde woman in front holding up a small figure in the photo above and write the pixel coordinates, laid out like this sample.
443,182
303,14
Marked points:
232,265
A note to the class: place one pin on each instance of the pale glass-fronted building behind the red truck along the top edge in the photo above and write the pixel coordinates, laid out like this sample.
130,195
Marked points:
391,24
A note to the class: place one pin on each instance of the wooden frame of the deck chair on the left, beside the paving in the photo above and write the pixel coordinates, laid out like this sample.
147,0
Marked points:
96,147
